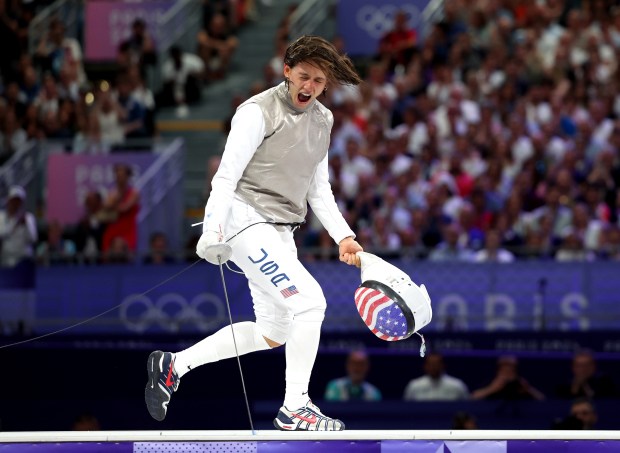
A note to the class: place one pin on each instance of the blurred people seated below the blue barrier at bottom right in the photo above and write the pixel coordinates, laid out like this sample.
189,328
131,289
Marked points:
584,385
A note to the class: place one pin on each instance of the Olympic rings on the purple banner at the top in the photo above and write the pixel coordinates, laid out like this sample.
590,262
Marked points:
376,21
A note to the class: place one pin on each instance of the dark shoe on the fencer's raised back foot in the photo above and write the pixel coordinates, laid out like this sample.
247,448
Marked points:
163,380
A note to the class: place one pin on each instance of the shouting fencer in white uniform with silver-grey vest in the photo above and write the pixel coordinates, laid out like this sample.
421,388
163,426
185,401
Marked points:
275,164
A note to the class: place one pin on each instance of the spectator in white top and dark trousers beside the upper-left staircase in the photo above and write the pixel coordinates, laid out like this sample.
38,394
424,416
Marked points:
182,75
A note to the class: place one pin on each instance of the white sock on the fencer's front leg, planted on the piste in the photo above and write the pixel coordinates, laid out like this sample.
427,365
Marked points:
301,349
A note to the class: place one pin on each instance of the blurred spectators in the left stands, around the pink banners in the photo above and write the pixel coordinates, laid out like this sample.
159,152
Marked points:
47,95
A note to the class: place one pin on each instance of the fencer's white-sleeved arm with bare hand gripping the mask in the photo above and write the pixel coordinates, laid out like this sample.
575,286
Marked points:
321,200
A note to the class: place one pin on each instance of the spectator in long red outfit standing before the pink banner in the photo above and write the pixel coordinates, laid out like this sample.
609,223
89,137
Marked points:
122,205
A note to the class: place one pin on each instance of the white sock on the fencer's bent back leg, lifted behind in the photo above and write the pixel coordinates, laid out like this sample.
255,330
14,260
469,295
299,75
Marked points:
220,346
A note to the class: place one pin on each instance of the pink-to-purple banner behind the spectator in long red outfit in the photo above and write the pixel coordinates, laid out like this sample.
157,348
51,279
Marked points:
71,177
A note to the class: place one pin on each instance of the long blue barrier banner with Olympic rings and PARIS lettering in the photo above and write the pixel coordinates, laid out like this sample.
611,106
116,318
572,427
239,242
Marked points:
526,296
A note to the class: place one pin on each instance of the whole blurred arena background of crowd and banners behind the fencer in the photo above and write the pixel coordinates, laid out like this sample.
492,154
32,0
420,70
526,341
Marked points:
481,155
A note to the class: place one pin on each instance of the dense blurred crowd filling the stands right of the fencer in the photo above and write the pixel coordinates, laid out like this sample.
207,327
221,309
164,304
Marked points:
495,138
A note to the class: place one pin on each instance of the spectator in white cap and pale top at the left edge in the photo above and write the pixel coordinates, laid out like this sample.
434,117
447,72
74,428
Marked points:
18,230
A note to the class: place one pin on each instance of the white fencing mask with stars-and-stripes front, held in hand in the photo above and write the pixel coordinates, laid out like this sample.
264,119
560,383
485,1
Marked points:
390,304
